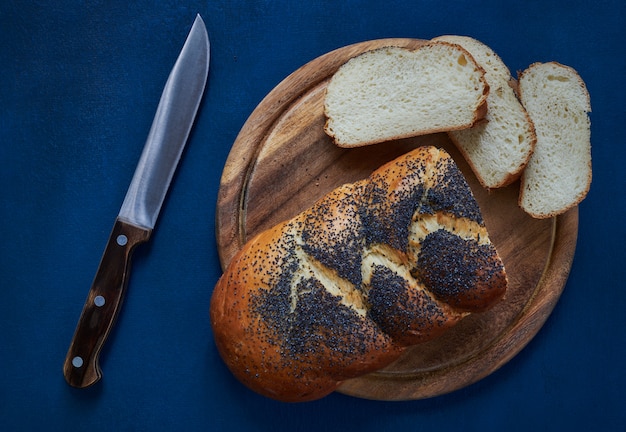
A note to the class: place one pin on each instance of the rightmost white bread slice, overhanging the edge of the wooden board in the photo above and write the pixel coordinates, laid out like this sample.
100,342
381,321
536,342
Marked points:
558,175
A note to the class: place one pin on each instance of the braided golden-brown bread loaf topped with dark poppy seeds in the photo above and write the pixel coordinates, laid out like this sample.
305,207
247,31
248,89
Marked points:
342,288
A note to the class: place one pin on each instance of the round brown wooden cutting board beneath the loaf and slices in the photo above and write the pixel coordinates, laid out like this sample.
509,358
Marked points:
282,162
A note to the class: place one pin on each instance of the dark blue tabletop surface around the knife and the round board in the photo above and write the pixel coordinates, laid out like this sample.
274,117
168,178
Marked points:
79,84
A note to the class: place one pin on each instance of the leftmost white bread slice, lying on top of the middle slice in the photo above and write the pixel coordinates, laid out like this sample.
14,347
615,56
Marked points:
392,92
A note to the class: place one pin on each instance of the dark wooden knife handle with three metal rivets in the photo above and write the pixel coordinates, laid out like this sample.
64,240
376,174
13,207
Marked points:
81,368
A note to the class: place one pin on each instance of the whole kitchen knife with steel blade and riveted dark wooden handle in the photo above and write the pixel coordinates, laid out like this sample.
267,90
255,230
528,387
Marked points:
137,217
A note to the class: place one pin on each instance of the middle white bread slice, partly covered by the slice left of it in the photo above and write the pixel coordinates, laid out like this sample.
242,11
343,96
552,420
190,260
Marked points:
499,148
